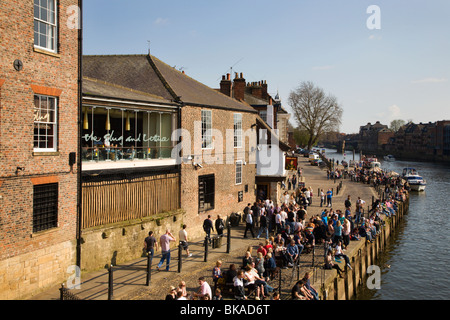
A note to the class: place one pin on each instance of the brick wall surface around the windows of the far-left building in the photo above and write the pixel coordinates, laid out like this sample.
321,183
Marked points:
42,73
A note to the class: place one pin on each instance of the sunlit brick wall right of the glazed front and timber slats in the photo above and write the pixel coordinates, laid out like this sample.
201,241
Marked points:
226,190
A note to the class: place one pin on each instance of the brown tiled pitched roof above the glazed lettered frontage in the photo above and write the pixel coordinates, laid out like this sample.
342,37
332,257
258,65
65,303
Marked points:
147,75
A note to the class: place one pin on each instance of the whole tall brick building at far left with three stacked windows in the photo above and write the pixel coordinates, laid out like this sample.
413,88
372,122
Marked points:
39,91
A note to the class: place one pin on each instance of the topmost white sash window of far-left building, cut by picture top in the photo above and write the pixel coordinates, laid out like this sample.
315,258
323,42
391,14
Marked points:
45,24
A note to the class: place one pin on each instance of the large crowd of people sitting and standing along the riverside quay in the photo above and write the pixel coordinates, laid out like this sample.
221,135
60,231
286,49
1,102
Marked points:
289,233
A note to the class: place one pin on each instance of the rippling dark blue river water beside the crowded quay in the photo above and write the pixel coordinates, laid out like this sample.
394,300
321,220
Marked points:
416,262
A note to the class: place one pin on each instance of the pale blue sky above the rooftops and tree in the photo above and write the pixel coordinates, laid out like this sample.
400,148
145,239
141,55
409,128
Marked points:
400,71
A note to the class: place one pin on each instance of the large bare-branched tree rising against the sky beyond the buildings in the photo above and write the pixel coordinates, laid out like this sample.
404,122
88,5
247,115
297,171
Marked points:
315,111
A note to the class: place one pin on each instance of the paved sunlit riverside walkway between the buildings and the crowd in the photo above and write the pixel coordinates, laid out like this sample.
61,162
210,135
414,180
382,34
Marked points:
129,280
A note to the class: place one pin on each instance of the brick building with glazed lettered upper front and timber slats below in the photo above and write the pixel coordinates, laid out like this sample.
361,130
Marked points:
147,176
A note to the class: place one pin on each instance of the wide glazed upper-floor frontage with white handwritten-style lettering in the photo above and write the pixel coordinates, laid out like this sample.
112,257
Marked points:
112,134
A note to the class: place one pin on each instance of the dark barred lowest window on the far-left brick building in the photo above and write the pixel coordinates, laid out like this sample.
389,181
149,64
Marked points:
45,207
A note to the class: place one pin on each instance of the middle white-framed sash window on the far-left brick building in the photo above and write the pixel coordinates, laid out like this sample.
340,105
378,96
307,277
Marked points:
45,123
